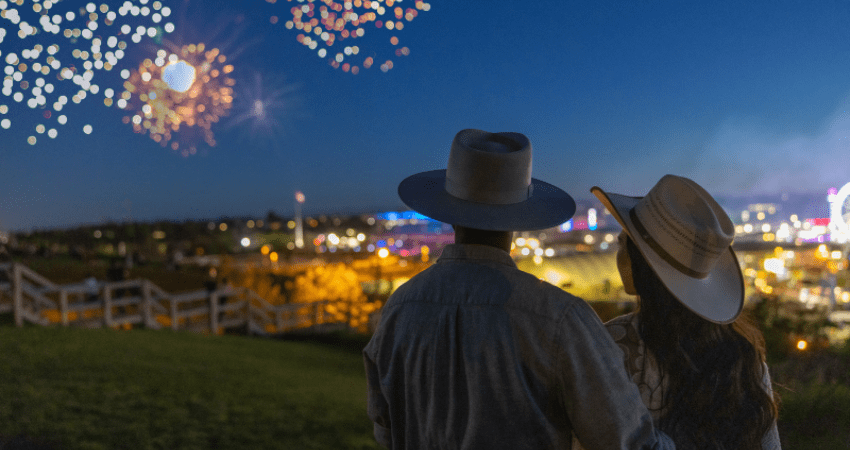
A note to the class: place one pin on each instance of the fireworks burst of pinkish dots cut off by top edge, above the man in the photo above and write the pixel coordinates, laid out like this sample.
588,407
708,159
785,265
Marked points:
348,20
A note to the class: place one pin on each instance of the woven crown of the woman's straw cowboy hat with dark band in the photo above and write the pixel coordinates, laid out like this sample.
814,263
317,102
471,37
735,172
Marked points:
685,224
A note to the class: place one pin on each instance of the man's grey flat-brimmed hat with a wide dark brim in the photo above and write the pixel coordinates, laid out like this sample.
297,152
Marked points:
488,185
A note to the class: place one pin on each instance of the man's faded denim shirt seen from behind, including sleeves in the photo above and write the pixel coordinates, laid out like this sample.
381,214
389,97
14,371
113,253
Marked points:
473,353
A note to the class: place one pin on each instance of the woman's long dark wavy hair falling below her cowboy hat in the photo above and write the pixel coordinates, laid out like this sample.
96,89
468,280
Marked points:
715,398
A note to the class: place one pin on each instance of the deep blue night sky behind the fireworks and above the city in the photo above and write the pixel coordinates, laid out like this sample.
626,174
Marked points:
742,97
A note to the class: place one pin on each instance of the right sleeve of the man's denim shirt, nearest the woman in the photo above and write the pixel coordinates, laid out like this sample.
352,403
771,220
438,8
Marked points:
604,406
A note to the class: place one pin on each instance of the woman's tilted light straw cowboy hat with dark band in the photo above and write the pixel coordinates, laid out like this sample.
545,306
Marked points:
686,237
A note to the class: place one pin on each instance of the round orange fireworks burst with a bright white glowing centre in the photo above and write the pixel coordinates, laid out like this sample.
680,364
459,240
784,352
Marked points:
186,90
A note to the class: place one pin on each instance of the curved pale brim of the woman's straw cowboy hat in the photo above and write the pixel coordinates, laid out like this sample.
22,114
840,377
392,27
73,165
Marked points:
719,297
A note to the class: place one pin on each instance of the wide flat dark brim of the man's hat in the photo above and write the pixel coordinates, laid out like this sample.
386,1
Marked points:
547,207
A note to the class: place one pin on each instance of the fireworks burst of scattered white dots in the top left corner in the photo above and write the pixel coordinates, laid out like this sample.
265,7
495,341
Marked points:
86,42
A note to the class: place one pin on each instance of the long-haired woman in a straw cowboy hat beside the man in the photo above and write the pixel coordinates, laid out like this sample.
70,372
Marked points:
700,369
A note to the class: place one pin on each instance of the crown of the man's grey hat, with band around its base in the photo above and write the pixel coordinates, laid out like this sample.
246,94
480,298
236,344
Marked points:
491,168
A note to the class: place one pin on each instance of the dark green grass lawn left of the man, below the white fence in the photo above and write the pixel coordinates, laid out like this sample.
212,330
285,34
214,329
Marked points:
142,389
